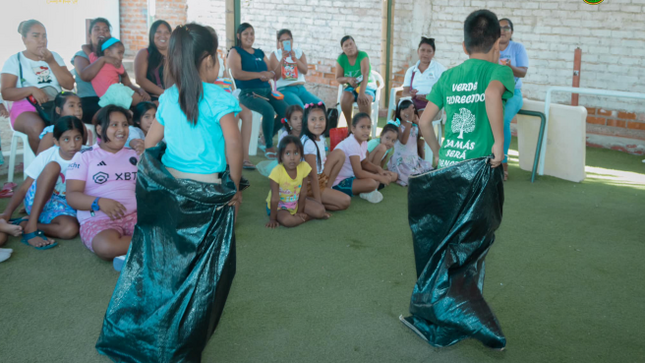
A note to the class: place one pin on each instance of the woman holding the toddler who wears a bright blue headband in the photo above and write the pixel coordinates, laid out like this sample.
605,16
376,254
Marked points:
86,71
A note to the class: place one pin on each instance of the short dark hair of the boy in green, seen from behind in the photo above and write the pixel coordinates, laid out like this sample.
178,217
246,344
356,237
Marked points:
481,31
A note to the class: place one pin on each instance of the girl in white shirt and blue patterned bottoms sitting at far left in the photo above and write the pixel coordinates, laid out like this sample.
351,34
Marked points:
44,190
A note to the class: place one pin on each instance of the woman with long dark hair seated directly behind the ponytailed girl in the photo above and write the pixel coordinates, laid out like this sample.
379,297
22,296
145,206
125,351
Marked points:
149,62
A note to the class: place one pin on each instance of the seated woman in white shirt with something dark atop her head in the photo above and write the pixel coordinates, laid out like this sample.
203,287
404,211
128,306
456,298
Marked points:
420,78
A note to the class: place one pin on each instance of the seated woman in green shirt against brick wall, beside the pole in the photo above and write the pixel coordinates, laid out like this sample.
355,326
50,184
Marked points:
351,65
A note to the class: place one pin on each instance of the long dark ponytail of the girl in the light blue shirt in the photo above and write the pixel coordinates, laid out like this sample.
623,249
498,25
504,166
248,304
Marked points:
189,45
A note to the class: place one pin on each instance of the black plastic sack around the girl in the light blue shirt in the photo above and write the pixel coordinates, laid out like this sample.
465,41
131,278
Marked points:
178,272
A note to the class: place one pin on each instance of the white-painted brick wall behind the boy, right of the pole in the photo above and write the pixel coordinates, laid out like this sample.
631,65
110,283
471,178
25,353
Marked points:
611,36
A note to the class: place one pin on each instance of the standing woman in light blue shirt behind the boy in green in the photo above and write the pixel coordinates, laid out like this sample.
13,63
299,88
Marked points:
513,55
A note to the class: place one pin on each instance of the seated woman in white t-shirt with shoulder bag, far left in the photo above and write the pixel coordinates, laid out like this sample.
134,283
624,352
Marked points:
25,74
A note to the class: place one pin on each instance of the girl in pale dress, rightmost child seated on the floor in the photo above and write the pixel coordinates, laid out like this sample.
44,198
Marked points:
406,159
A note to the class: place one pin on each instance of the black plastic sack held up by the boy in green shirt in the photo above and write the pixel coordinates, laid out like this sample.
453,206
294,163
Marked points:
453,214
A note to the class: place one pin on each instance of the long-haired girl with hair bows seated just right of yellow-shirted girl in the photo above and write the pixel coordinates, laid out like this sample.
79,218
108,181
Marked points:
326,168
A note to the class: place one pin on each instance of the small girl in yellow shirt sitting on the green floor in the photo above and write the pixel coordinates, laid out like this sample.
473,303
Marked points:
287,202
